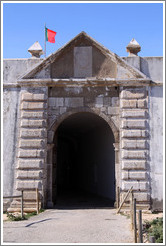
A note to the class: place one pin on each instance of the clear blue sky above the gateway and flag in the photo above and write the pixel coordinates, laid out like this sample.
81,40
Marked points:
111,24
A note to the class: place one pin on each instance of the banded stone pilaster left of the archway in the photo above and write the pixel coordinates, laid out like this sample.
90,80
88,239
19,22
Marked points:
32,144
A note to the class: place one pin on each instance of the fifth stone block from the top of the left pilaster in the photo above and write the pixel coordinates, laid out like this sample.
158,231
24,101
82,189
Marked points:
35,133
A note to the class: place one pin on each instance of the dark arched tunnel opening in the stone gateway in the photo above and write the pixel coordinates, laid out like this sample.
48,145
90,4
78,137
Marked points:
85,162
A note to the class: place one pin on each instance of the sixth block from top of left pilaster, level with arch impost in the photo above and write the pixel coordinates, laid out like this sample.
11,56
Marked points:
35,143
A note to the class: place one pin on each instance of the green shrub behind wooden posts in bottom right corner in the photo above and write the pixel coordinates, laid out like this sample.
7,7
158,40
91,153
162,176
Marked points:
155,228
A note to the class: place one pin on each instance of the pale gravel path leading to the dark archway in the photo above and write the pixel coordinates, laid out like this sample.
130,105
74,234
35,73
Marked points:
70,226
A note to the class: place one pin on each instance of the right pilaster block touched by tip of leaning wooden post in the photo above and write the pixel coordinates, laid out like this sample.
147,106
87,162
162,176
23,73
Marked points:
137,185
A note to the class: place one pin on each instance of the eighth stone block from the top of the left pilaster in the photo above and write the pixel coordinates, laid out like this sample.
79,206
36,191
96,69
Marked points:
30,164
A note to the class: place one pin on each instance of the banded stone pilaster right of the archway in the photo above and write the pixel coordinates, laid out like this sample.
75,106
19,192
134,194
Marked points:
134,132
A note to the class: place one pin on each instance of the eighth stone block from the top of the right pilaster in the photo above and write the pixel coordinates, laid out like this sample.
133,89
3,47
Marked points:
134,165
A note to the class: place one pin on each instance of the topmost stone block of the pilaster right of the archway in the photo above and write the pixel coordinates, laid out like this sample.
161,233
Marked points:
133,93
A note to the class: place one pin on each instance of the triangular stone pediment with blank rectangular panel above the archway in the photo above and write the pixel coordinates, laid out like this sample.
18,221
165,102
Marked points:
83,57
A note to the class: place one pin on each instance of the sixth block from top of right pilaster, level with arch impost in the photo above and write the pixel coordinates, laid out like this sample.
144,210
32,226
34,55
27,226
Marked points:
134,144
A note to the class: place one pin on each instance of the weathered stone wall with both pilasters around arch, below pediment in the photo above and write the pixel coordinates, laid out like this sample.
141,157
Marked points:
33,113
